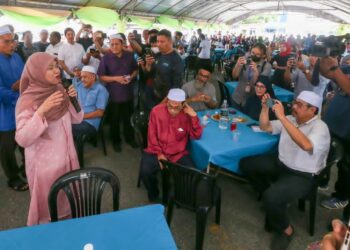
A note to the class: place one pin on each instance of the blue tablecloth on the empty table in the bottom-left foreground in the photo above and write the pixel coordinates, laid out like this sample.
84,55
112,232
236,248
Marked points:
136,228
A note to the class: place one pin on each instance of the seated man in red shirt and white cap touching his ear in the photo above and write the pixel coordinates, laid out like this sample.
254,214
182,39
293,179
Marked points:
171,125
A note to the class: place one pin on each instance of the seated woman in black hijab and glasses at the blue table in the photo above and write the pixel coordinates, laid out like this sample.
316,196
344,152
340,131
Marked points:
253,105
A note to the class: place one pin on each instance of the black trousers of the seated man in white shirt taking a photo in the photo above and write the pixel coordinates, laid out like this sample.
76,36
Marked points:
279,184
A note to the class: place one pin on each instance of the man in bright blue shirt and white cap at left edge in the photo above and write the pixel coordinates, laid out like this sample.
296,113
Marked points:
11,67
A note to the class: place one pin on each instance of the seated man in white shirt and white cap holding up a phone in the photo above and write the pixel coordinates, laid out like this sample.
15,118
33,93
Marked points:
302,154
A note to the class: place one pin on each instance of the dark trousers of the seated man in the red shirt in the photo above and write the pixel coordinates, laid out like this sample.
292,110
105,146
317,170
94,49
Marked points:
150,168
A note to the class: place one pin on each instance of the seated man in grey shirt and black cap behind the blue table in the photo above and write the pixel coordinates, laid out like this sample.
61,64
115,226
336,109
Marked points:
200,92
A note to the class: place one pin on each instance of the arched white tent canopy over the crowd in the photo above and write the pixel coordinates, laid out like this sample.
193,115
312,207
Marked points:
210,11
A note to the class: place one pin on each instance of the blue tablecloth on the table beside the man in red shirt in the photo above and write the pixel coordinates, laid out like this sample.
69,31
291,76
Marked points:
219,146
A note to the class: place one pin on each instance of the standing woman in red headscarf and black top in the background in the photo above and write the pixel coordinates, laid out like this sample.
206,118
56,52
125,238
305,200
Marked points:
280,65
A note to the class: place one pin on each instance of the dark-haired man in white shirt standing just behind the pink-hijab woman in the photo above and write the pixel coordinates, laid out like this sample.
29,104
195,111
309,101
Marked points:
70,54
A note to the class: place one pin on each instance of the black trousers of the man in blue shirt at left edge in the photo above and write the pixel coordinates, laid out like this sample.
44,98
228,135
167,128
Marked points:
7,155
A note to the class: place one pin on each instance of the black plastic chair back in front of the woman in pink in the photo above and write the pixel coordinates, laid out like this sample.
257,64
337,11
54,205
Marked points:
84,189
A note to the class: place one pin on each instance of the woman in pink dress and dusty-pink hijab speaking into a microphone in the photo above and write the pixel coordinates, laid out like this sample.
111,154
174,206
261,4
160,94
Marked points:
44,118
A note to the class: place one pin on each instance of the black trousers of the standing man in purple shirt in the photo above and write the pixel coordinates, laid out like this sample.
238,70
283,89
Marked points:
121,112
